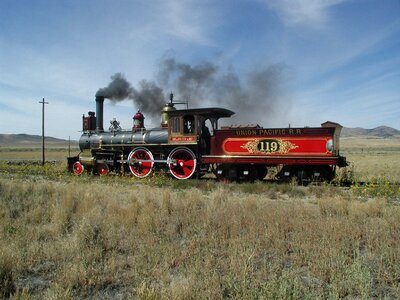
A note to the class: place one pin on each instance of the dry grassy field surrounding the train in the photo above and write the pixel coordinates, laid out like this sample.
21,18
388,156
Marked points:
64,237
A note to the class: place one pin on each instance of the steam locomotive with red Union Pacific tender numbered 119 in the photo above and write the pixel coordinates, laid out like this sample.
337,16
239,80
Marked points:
190,143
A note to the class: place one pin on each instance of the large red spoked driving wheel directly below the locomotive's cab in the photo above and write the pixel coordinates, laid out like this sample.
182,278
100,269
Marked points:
182,163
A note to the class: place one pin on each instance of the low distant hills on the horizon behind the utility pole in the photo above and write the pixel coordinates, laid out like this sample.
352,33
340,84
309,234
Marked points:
27,140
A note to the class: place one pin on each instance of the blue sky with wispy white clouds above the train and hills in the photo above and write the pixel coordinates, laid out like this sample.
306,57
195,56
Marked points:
336,60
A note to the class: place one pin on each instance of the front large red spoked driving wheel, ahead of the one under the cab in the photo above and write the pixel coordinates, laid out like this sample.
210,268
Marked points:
140,162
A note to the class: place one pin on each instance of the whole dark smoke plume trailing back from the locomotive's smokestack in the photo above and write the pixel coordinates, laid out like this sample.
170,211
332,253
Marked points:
256,97
